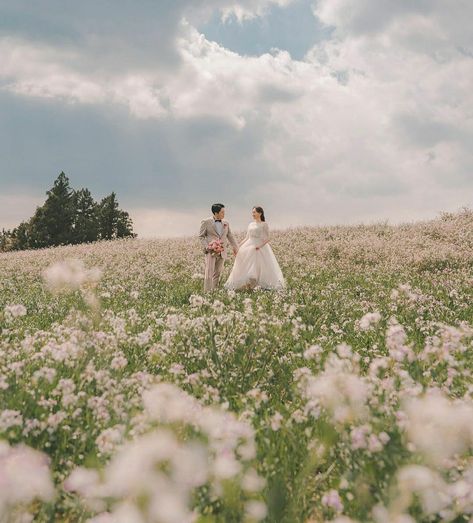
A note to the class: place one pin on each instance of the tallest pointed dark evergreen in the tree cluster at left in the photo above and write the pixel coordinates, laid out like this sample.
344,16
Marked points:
53,221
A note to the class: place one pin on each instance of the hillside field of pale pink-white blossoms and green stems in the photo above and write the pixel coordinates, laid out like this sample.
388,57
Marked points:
126,395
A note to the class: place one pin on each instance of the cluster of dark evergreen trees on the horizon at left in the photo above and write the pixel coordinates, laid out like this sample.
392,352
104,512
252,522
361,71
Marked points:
69,217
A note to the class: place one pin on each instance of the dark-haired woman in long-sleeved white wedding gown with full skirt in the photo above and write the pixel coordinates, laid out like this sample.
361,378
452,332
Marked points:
255,264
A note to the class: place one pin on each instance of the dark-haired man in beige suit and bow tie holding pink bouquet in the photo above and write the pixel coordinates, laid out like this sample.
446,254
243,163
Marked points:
211,229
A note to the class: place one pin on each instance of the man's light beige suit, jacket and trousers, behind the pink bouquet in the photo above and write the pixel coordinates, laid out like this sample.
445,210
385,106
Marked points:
214,264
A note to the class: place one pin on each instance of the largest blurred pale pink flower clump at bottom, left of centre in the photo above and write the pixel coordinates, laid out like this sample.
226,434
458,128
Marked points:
155,476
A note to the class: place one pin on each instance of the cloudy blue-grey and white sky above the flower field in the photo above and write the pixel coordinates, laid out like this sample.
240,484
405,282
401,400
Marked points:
322,111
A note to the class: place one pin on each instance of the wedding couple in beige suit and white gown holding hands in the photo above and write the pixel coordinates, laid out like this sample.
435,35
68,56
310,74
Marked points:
255,265
